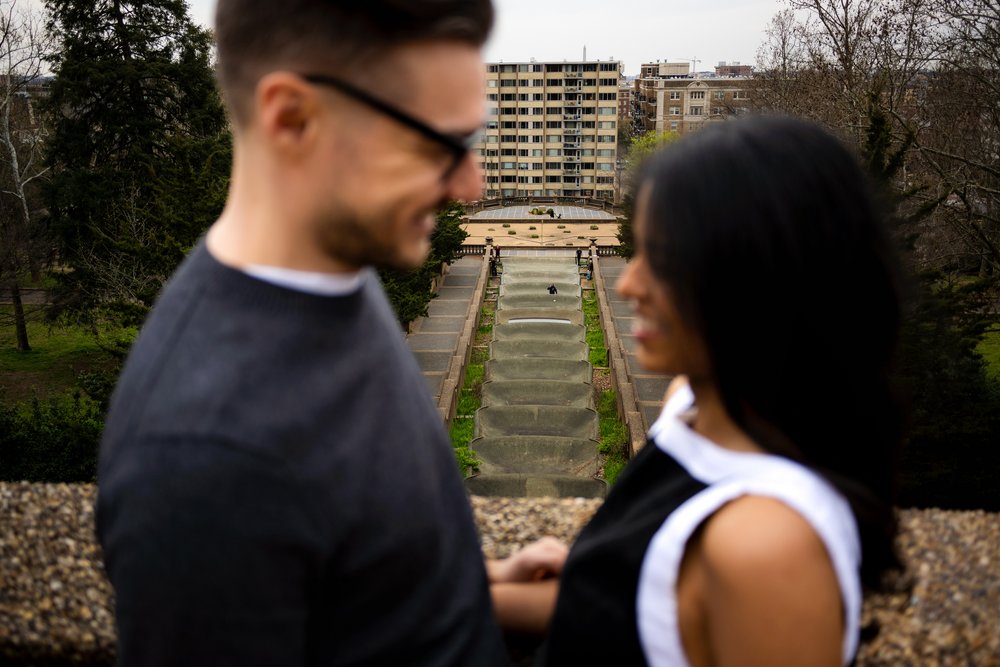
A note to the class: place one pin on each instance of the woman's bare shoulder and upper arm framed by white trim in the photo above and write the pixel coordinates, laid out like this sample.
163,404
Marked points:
757,587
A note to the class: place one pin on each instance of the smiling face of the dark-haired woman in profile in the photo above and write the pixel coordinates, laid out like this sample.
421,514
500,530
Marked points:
665,343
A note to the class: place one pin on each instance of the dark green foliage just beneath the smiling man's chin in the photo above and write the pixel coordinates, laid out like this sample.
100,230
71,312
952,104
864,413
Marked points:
410,291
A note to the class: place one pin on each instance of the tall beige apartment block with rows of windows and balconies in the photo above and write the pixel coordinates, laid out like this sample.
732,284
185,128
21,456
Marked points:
552,129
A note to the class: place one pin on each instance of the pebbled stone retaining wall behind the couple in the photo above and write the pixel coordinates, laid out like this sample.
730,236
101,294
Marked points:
56,605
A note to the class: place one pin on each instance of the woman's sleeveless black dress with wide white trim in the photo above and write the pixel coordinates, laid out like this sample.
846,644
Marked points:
617,601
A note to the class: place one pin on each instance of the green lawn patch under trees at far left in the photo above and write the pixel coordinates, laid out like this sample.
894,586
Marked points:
58,355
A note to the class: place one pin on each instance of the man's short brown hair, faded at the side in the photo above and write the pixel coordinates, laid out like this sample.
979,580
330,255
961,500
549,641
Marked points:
255,37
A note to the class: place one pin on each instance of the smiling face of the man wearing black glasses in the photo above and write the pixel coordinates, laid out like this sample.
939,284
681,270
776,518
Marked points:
384,179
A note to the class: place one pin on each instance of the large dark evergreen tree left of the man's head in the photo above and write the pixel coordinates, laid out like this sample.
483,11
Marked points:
139,149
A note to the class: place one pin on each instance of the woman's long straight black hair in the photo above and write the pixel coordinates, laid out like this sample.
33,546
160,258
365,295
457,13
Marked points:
770,235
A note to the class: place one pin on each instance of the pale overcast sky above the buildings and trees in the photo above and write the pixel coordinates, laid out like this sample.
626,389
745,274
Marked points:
632,31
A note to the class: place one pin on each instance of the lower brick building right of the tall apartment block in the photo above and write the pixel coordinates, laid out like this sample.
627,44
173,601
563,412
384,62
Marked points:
669,98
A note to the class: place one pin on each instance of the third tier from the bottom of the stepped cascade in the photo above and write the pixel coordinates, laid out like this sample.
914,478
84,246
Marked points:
548,420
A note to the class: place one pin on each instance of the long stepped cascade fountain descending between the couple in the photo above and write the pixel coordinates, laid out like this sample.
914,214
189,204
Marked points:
536,434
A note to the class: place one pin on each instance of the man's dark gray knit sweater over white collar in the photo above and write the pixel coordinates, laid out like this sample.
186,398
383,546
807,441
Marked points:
276,488
